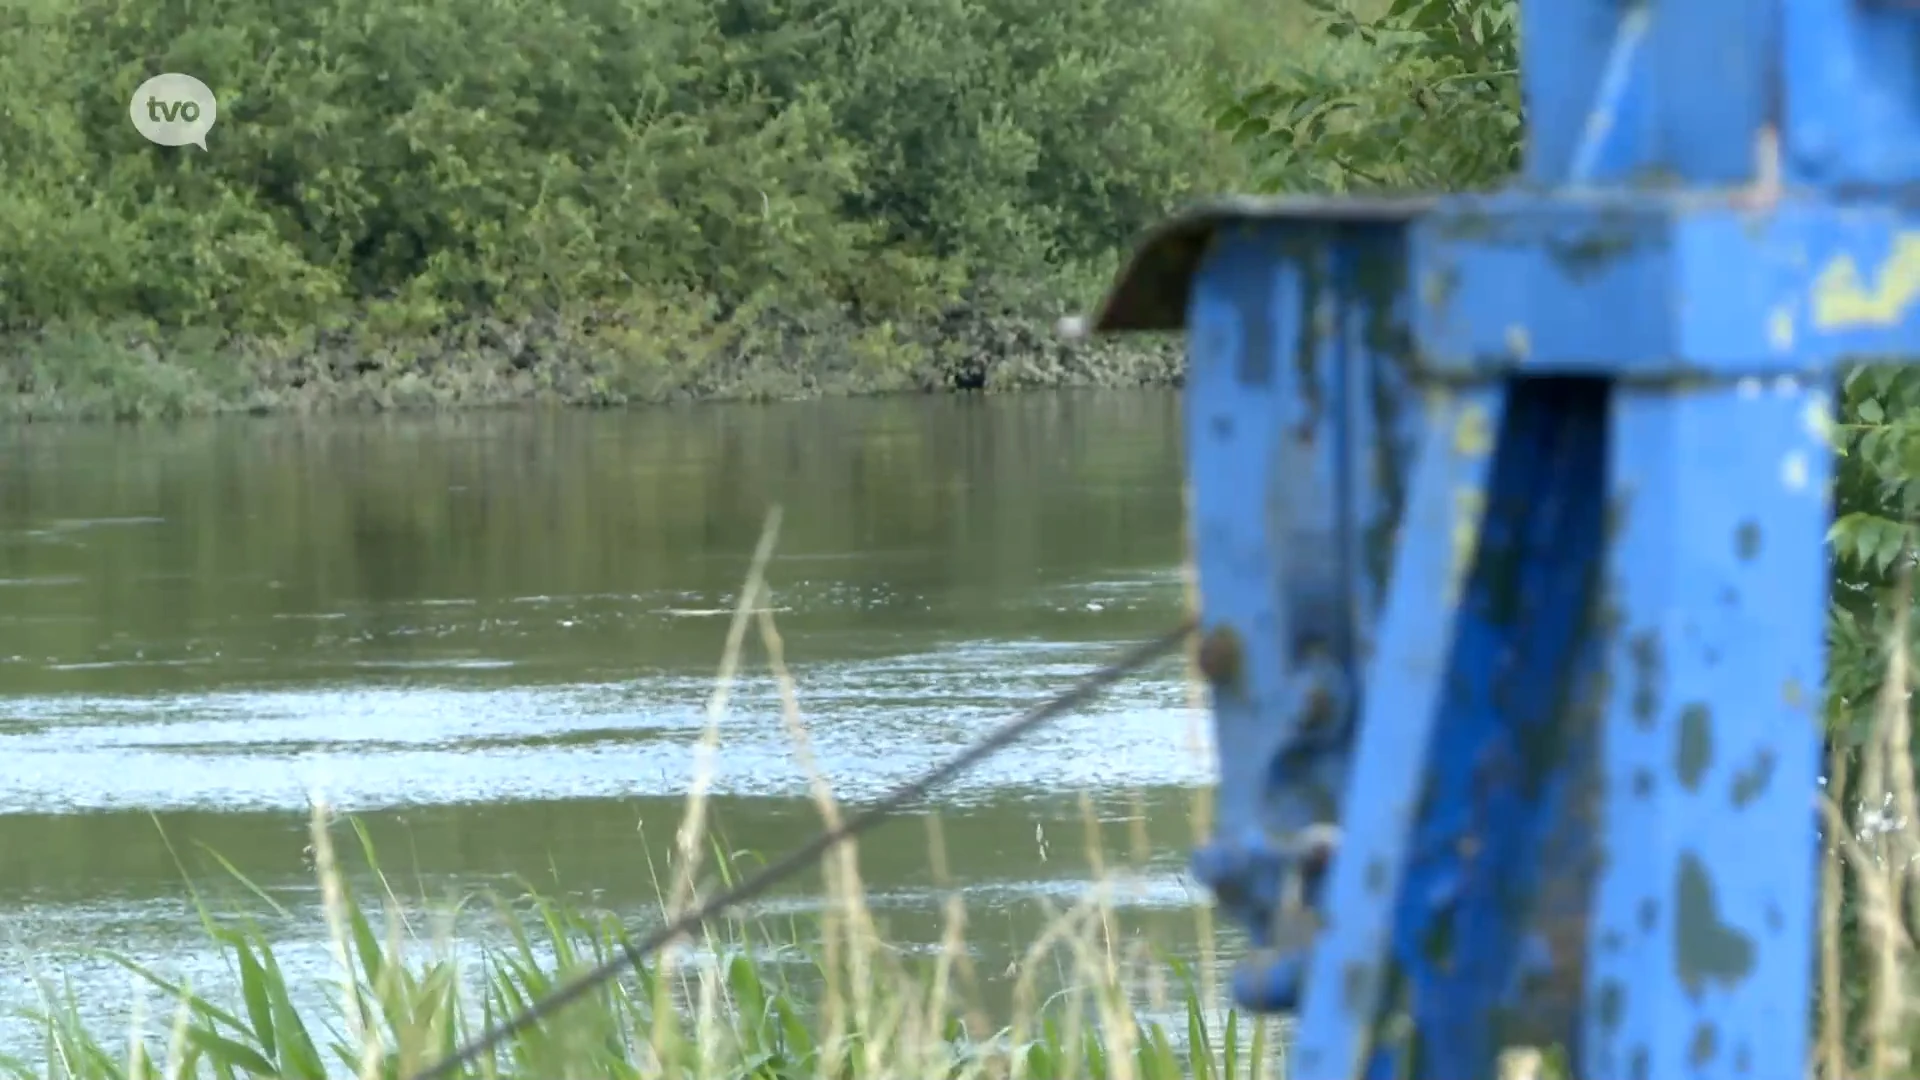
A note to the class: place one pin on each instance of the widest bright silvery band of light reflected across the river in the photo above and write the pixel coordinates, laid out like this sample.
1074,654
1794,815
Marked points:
873,725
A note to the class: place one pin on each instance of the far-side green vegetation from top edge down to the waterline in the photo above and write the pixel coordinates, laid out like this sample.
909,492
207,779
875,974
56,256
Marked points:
604,199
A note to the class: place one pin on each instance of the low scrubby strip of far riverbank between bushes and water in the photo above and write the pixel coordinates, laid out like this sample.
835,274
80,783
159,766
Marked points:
642,355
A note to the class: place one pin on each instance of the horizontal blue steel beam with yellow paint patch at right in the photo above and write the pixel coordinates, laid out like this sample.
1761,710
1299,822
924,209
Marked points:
1660,287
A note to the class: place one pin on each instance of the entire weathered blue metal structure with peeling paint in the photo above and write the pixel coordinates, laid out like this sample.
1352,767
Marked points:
1510,526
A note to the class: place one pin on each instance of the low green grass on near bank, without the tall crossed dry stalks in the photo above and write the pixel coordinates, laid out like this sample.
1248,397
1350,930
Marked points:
850,1008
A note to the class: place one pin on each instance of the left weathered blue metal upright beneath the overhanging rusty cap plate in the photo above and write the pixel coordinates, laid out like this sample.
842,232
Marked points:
1301,422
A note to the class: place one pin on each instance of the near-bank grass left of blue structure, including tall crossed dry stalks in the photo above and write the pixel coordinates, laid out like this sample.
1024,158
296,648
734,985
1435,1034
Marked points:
406,993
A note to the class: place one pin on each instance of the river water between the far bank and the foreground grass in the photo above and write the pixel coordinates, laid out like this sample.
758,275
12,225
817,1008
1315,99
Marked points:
494,637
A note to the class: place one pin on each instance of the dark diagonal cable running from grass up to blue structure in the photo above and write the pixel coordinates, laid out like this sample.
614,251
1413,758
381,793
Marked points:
811,852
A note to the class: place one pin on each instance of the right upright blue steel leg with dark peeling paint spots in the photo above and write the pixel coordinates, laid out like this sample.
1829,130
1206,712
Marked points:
1716,604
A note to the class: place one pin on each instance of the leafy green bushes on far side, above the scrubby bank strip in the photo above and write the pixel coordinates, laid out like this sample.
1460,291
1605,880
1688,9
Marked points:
435,159
